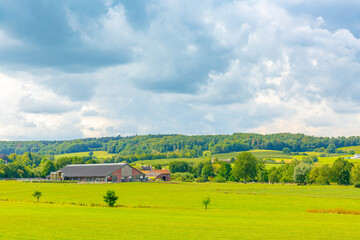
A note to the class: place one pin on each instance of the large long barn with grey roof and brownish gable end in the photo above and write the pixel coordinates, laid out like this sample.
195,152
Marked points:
107,172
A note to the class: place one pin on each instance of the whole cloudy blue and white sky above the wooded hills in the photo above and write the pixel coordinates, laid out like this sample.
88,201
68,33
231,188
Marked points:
77,68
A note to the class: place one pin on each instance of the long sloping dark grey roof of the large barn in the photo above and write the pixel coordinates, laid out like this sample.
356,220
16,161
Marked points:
91,170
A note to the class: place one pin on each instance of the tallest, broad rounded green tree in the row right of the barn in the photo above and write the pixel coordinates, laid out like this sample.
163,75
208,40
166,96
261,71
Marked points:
245,167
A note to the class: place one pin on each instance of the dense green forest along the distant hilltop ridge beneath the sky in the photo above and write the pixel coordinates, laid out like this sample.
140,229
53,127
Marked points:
179,145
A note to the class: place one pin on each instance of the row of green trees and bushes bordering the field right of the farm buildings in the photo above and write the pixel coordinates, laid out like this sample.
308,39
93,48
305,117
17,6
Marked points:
247,168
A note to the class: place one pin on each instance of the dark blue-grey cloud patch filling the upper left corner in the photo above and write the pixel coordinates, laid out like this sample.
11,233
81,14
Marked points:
48,39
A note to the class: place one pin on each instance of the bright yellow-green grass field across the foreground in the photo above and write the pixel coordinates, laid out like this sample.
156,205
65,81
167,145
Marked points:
174,211
